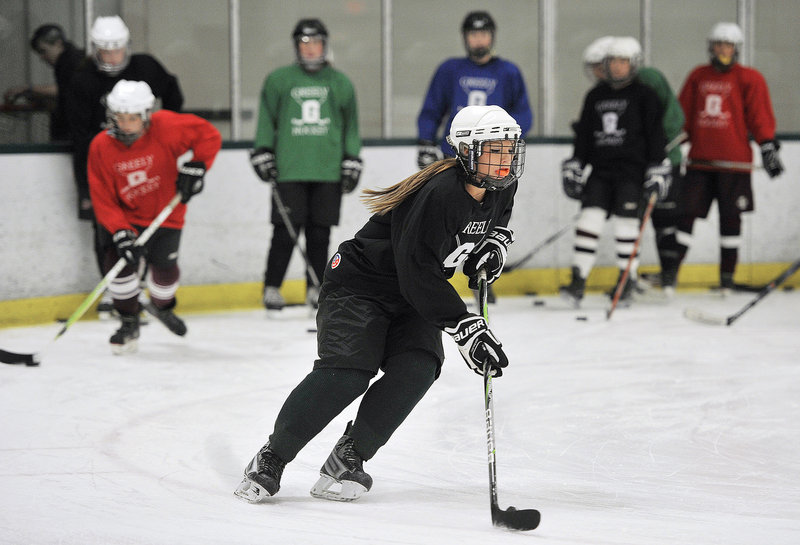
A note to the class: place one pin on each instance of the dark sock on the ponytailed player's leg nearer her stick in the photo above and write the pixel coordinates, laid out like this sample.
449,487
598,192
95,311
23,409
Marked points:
387,403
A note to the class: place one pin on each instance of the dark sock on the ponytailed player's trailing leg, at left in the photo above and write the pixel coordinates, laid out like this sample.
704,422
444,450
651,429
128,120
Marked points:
318,399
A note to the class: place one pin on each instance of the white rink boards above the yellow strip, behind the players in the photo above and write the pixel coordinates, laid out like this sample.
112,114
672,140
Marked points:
45,250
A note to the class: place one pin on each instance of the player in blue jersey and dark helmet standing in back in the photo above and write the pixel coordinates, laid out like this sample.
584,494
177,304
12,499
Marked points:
480,79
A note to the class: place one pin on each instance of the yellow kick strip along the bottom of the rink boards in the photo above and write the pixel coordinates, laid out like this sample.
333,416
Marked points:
244,296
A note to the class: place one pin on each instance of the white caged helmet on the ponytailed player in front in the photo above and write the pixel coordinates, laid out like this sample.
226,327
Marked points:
472,128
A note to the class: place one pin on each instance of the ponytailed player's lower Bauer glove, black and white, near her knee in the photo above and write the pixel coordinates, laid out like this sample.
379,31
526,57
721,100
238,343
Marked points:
477,343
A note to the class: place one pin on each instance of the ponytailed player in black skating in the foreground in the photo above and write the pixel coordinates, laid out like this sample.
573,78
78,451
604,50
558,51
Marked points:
386,298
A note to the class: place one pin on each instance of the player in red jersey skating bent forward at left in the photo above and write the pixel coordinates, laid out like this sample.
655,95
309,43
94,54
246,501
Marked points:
133,174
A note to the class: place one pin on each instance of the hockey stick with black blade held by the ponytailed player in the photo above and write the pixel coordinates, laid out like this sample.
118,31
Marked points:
523,519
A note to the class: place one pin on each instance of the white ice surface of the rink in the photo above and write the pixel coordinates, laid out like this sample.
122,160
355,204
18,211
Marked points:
645,429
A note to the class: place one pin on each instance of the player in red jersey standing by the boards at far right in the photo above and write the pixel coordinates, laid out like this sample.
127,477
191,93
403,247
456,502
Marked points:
725,103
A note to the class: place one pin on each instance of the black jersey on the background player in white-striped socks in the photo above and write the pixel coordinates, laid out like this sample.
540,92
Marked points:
620,125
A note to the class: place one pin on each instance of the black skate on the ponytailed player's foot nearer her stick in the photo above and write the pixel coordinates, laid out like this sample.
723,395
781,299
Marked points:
344,467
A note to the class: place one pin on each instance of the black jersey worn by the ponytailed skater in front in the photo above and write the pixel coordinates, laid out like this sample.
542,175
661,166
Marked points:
413,250
